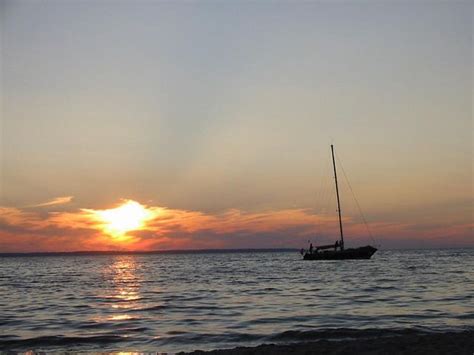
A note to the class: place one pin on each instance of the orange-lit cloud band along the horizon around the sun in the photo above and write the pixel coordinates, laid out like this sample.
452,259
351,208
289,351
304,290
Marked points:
26,230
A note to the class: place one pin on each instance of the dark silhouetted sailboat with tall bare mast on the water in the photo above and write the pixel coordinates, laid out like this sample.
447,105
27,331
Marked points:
337,251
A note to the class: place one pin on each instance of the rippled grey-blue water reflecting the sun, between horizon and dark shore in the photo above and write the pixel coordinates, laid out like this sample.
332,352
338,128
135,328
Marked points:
183,302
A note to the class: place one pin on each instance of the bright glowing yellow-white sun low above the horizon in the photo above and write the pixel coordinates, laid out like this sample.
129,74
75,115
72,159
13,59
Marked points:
129,216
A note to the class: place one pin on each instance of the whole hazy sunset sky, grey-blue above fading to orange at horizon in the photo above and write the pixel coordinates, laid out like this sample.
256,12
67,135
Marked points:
216,118
